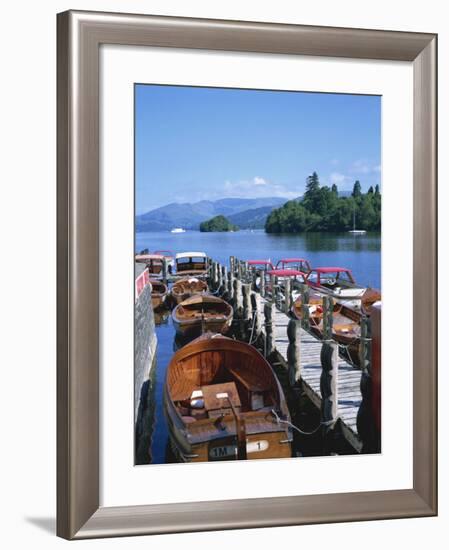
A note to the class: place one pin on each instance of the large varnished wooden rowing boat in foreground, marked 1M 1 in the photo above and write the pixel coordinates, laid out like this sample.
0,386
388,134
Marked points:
223,401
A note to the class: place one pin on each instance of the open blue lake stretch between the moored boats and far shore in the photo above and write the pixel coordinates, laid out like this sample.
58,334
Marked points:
360,253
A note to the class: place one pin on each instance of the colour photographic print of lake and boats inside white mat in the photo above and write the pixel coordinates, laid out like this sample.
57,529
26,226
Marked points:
257,274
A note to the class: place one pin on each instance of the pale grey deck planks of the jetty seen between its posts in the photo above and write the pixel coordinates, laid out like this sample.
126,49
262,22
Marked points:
349,395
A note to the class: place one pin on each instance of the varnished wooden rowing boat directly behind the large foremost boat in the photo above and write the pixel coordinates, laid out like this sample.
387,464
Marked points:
202,313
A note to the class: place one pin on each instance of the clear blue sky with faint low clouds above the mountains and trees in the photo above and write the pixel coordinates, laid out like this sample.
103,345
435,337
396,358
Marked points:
210,143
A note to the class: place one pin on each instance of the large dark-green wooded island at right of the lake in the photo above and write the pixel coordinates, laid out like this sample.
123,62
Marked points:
322,209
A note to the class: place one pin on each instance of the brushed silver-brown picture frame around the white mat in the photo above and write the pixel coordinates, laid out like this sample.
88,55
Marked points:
80,34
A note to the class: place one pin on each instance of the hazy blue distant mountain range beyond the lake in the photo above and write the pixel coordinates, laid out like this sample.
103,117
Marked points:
246,213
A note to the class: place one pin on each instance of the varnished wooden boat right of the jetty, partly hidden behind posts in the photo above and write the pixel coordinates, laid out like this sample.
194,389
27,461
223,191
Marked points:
345,320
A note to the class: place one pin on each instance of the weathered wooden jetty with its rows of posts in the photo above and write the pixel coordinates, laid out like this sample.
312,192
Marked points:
343,393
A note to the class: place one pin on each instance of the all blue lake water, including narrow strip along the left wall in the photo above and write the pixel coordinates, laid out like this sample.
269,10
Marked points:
360,253
